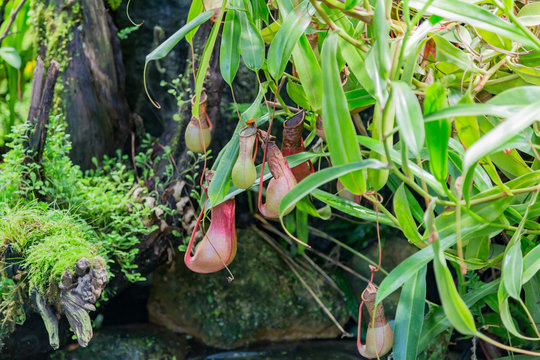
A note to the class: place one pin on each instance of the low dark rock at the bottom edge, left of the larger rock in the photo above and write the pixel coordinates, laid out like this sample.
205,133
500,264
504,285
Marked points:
133,342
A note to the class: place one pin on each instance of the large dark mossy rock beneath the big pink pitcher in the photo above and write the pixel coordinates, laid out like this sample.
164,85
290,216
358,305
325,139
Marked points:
264,302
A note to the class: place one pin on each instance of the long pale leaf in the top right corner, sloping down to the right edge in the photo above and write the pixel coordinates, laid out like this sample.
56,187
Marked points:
476,16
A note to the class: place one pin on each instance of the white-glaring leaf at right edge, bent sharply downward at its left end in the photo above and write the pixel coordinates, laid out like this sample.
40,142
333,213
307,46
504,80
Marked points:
497,137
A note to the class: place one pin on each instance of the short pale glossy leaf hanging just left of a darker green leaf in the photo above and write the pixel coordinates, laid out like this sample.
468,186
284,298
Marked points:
408,116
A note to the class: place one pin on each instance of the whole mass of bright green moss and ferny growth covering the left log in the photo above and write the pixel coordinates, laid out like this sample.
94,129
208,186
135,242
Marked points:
52,215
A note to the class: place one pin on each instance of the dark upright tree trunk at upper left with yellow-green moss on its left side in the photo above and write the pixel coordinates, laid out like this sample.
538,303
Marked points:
92,74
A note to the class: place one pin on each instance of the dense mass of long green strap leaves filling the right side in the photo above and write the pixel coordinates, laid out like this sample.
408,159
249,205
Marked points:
452,142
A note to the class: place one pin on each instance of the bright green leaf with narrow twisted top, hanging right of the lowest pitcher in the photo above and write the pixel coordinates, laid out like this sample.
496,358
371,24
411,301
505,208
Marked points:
453,305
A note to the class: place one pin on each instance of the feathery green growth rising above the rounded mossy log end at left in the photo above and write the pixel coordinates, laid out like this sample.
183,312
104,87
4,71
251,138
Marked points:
101,199
